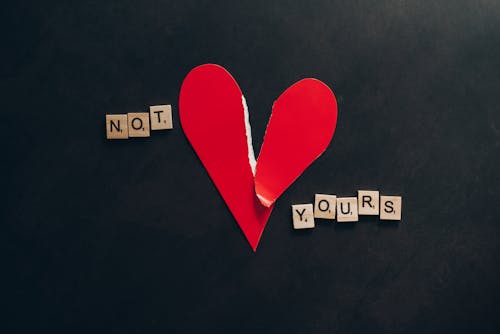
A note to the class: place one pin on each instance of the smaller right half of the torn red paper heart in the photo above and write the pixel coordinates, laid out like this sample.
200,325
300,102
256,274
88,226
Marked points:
301,126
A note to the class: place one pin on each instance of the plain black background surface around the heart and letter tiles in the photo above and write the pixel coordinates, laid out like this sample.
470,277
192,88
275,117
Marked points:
132,236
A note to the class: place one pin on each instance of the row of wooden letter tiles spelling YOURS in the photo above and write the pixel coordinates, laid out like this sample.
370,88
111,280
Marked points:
347,209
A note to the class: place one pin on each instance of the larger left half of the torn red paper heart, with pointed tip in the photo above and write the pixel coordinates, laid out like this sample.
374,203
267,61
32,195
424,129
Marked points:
212,116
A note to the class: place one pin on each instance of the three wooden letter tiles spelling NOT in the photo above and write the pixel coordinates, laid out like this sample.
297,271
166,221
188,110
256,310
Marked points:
123,126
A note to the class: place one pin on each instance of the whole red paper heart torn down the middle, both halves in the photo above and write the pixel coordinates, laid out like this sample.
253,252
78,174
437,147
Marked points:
215,119
